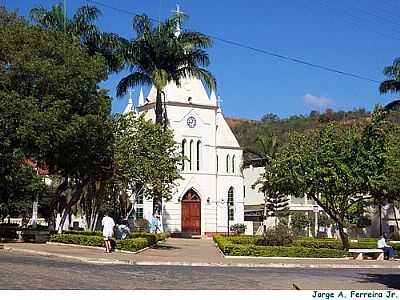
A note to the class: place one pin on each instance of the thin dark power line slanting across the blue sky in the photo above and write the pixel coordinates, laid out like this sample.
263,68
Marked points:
259,50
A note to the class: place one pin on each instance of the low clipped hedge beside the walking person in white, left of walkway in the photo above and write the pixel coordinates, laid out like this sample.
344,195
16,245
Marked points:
131,244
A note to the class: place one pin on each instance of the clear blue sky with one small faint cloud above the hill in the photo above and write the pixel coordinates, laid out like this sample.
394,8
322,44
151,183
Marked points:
354,36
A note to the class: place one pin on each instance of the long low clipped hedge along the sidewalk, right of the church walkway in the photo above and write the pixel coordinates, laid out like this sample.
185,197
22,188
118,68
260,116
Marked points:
229,248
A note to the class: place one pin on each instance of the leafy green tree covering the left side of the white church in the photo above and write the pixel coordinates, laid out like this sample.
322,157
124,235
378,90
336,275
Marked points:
146,158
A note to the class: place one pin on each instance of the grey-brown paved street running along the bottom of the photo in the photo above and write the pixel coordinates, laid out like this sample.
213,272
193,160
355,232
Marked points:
27,271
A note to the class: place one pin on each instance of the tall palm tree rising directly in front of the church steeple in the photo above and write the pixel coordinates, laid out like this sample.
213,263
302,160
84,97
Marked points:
161,54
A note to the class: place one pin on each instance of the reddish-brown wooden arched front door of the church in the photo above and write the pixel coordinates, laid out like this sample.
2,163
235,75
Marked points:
191,213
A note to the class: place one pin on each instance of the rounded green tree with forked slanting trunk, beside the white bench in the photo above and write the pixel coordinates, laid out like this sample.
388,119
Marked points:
330,166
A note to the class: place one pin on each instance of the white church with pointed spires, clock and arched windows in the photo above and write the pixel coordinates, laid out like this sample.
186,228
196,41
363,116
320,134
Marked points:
209,197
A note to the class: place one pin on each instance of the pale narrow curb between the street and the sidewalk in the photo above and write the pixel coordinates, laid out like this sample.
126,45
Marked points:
203,264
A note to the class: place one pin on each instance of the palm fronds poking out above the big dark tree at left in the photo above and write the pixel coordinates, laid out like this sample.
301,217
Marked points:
82,27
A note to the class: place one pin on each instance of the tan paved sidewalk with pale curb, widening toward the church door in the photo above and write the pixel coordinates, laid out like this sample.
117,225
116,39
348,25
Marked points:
188,252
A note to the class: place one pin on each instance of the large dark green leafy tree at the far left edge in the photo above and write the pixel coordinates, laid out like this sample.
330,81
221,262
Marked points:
55,81
